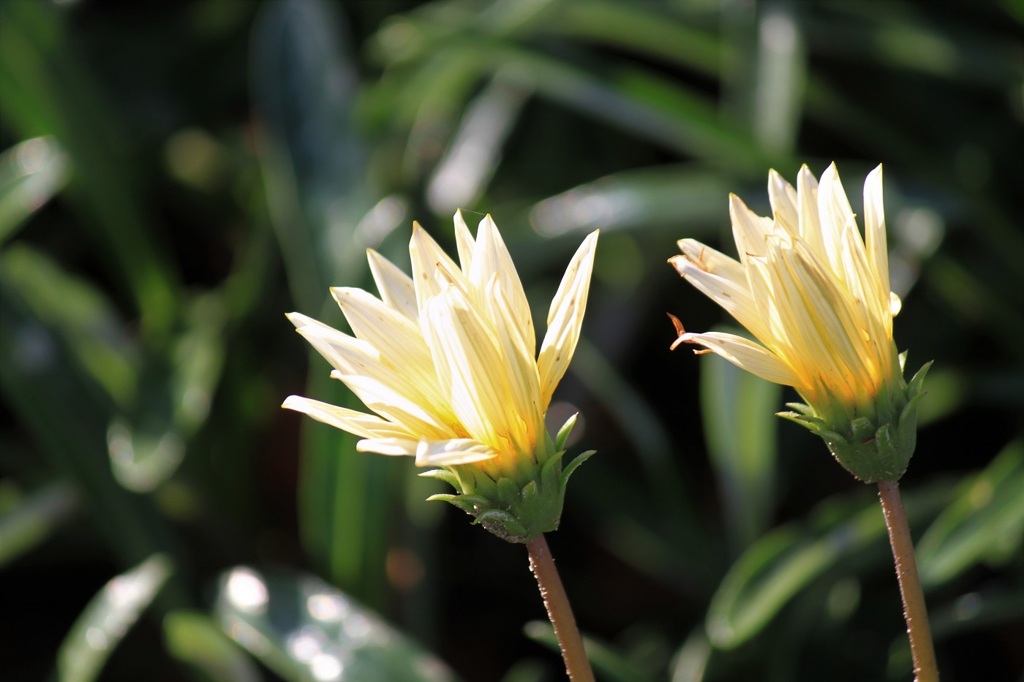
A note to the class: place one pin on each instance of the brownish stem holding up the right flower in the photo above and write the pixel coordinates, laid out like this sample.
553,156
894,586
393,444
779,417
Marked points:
915,612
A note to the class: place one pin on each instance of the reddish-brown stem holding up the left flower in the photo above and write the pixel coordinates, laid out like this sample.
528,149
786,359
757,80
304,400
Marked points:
560,612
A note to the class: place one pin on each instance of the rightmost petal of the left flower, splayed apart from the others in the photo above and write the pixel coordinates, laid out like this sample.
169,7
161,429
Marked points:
566,320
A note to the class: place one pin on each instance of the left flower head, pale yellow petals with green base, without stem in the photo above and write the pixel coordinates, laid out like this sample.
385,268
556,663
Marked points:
447,364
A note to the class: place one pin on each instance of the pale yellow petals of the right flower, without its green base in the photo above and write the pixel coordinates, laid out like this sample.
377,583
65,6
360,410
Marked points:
808,287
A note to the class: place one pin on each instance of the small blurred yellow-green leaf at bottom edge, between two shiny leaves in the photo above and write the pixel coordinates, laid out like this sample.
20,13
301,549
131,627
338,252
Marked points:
195,640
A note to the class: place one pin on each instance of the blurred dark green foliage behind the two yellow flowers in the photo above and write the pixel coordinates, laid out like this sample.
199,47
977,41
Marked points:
178,176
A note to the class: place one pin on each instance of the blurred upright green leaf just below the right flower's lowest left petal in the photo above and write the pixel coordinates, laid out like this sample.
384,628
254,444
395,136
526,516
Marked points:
739,412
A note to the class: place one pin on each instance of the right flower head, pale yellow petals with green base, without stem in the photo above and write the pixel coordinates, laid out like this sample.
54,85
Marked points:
816,296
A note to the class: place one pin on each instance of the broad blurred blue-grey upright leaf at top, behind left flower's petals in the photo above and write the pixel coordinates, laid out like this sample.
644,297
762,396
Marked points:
304,82
